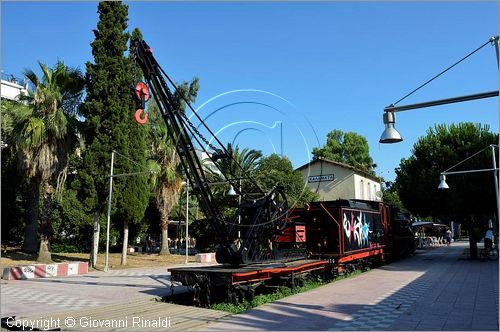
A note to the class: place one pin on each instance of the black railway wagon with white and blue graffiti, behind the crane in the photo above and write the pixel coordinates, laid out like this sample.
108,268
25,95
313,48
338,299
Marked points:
347,231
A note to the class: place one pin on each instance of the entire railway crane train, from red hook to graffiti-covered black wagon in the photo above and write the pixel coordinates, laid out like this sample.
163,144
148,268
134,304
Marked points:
264,243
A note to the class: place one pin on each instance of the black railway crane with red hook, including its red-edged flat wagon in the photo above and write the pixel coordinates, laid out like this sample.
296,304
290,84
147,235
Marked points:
248,241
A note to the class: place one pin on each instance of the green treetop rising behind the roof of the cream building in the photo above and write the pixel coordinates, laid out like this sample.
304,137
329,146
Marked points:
348,148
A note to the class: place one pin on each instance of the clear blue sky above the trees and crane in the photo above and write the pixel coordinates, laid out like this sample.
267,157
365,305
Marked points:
313,66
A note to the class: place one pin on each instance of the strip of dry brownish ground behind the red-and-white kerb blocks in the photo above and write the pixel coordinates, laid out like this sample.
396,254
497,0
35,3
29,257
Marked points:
13,256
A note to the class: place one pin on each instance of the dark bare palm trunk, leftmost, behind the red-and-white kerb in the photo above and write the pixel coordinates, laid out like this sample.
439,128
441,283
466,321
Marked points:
30,244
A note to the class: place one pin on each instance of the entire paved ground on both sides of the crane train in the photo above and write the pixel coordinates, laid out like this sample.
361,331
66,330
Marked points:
434,290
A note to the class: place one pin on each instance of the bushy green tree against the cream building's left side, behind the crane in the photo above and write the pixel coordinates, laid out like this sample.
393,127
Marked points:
275,170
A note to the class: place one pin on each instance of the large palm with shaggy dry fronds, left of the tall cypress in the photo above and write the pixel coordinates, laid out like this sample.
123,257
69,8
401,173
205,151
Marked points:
44,131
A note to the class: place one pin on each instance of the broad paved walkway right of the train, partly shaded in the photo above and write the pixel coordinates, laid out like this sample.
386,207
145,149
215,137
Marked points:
435,290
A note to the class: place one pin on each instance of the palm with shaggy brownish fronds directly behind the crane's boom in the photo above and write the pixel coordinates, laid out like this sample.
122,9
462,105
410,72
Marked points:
166,181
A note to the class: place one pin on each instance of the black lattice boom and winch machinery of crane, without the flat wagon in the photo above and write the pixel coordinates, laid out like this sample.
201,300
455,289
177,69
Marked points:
246,238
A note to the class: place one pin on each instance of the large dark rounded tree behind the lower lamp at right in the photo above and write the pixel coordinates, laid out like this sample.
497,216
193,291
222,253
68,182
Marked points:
471,195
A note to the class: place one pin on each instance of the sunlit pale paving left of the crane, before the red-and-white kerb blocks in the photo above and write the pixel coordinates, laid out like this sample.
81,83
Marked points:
49,295
